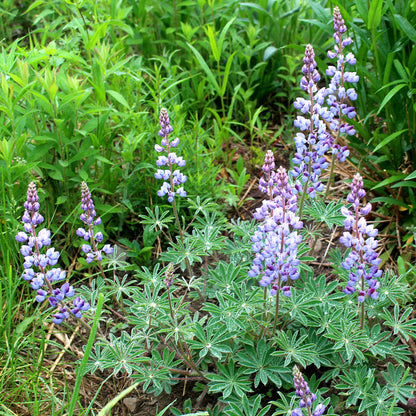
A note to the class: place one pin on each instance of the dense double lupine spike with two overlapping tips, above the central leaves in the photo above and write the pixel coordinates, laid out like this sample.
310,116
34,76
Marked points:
275,242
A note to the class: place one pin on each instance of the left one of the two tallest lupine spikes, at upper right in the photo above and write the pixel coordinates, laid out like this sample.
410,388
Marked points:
313,141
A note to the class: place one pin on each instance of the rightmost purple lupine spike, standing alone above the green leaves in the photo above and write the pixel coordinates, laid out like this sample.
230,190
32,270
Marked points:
362,261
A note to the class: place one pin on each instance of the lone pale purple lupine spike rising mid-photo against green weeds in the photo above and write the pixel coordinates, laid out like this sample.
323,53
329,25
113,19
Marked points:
173,178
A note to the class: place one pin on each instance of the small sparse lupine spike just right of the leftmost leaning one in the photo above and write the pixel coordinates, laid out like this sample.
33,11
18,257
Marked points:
89,218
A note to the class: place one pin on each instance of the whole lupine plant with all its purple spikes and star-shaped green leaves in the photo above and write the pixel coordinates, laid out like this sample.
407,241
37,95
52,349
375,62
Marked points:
211,330
